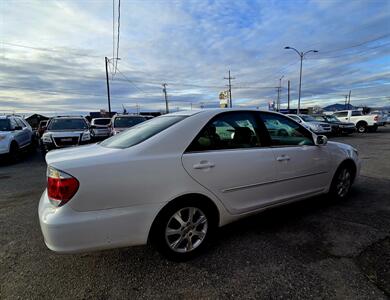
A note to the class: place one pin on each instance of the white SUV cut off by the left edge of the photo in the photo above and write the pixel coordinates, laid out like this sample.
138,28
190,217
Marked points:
15,134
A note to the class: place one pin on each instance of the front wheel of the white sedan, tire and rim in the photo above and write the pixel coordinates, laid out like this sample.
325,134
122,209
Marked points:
342,182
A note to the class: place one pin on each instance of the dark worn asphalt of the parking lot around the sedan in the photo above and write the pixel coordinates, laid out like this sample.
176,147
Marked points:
311,249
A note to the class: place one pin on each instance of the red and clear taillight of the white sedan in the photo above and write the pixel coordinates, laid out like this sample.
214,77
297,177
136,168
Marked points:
61,187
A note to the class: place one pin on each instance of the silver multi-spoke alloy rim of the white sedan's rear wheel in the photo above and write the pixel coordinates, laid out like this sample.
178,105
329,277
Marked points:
186,229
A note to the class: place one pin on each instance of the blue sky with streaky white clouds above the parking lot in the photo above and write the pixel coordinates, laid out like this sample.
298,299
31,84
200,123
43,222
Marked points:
52,53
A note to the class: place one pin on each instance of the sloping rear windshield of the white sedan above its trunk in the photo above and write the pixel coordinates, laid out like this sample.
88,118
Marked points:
141,132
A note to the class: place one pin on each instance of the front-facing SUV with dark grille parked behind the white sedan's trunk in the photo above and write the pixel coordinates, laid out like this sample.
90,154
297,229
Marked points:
64,132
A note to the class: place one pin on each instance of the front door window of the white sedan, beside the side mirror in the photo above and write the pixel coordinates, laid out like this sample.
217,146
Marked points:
285,132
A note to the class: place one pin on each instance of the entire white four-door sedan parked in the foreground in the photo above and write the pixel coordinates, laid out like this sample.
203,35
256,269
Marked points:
174,179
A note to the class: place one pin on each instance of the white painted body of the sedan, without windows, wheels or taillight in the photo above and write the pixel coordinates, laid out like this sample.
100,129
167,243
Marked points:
122,190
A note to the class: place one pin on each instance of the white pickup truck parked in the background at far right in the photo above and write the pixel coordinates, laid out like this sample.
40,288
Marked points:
362,122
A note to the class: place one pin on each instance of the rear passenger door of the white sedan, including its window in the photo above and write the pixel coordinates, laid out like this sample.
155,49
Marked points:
228,158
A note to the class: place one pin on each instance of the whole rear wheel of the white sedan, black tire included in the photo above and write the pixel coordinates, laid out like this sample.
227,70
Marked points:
179,237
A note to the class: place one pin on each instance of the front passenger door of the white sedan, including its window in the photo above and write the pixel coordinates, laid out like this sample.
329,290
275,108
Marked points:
302,166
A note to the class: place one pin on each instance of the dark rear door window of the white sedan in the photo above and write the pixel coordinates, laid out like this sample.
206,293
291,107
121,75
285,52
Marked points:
228,131
